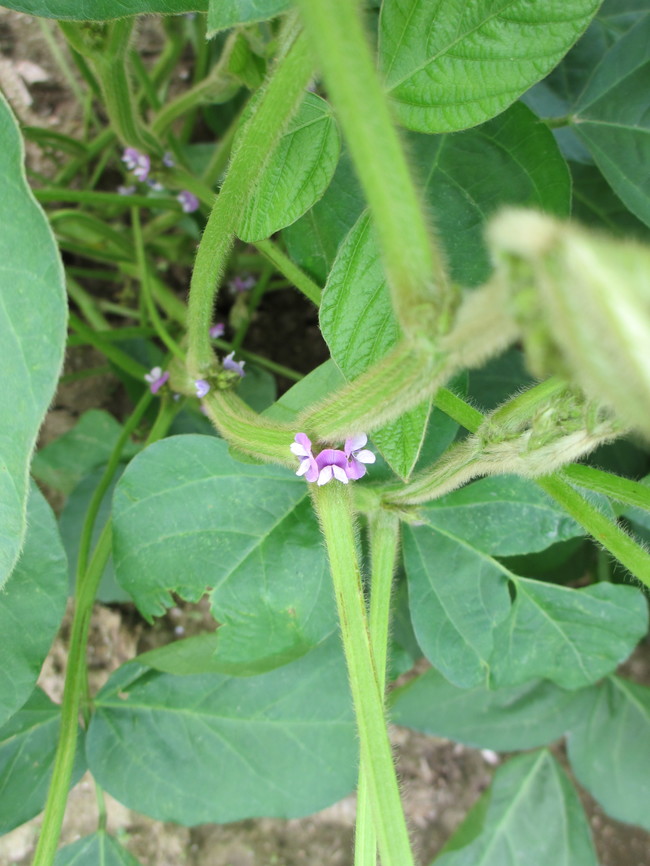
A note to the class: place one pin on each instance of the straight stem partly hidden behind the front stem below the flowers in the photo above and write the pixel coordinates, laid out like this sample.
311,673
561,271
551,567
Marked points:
384,543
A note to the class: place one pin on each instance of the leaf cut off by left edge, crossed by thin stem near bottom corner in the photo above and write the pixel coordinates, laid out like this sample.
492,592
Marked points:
27,747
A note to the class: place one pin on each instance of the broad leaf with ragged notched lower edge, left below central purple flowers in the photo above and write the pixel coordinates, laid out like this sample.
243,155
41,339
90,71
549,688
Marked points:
188,517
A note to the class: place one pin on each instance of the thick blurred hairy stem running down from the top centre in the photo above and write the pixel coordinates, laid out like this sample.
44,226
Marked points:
414,266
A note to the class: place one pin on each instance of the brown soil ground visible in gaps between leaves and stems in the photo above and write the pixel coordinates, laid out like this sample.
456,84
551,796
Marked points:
440,780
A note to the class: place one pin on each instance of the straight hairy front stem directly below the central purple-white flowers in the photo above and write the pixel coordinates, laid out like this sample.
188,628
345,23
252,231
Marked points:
332,502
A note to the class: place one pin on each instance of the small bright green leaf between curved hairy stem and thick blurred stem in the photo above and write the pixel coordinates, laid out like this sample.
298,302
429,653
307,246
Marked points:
298,172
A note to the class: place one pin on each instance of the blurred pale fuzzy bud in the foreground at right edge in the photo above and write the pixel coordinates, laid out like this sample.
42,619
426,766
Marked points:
582,301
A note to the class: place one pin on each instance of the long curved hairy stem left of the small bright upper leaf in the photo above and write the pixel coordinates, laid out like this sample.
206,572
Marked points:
277,103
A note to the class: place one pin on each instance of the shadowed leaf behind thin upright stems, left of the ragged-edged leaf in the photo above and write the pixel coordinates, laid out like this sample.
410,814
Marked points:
70,525
